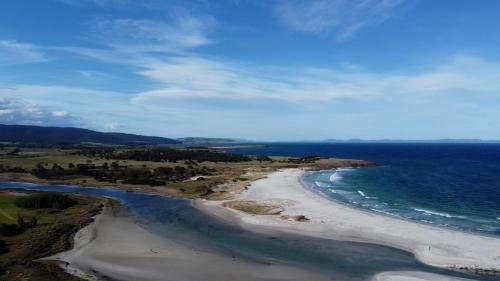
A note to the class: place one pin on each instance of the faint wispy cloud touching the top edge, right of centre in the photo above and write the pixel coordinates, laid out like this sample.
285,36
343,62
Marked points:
342,17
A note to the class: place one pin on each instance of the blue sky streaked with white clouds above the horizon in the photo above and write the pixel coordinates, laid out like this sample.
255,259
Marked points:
270,70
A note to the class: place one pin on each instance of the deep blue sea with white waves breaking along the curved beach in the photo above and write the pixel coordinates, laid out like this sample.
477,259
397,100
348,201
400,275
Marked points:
451,185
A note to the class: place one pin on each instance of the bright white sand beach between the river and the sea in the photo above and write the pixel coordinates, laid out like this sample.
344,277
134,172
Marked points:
328,219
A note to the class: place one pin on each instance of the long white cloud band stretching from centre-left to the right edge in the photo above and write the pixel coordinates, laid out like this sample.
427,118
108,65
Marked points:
194,77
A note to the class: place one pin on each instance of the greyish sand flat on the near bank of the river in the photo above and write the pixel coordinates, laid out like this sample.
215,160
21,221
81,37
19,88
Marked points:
115,247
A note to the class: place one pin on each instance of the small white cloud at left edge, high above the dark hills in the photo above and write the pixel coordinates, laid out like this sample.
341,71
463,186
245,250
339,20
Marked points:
13,52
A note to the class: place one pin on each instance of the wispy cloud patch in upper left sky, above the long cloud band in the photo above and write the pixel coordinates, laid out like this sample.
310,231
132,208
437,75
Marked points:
137,42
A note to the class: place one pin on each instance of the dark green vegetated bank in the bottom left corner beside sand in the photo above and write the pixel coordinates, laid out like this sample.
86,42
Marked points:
37,225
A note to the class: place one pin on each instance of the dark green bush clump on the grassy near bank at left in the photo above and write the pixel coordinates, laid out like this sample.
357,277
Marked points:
45,201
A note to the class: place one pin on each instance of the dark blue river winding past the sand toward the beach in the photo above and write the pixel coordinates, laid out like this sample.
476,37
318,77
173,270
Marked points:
179,221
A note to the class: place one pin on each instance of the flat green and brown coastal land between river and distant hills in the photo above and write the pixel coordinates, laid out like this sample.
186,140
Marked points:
182,171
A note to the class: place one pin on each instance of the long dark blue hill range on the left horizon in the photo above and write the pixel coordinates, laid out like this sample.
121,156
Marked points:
59,135
